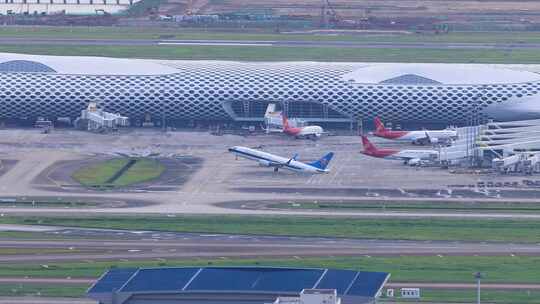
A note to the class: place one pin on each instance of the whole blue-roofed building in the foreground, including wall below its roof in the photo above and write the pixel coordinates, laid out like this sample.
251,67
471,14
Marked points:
228,285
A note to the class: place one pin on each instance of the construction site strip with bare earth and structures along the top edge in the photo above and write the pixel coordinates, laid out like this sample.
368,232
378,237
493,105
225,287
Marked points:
407,15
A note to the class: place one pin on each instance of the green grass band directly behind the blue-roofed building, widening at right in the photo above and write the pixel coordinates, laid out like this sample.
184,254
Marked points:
457,269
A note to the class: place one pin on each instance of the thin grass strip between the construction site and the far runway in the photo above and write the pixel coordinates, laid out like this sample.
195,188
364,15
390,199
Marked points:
223,34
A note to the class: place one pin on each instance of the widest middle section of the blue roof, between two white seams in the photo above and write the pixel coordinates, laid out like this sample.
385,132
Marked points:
255,279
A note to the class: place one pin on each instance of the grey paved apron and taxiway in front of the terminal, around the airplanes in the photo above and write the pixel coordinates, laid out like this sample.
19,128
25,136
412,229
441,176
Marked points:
217,184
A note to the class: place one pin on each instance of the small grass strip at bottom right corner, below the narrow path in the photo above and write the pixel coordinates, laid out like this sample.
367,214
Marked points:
469,296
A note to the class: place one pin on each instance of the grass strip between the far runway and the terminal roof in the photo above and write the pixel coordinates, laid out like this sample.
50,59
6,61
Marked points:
251,53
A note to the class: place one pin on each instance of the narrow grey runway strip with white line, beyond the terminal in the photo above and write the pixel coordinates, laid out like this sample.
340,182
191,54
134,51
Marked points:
288,43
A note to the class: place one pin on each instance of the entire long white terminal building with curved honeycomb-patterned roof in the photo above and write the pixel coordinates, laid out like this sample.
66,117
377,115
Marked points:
34,86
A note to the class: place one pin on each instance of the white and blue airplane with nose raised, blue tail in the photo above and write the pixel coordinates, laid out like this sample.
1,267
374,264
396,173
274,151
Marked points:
273,161
